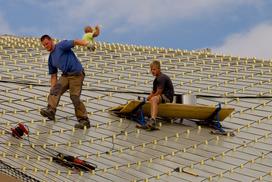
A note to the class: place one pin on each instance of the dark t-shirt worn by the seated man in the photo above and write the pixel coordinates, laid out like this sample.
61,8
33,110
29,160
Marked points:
164,82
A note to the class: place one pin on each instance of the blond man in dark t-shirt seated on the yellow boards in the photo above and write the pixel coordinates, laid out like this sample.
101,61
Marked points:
163,91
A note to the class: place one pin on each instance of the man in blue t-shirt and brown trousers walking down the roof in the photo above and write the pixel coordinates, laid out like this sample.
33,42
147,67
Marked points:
63,58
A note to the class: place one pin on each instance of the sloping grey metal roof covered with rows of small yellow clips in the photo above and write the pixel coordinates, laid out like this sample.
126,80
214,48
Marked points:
120,151
